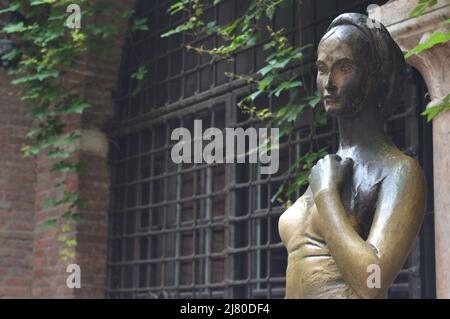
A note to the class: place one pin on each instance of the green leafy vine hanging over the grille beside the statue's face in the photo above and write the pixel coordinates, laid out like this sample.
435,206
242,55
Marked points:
273,79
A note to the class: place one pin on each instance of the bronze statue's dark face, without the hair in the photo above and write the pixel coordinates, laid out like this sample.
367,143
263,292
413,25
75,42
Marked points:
342,77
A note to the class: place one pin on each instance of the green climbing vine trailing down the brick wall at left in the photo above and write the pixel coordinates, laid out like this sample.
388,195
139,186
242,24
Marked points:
50,47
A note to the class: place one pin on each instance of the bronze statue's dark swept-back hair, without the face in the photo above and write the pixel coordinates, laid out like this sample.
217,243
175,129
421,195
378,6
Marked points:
388,62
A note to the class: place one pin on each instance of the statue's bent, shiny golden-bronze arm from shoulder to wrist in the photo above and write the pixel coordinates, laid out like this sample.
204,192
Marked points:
397,220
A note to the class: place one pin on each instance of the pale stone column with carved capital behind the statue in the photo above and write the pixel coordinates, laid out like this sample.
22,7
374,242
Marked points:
434,66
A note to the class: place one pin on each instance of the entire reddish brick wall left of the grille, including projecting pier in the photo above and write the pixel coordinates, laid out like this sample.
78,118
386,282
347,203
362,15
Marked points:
30,265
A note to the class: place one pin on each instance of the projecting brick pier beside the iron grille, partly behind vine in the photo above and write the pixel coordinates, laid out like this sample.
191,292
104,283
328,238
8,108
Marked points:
98,76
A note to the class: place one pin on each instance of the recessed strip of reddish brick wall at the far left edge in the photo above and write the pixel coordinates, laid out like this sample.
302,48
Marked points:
17,184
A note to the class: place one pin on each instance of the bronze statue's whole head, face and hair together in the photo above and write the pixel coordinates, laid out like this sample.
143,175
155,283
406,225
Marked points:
358,65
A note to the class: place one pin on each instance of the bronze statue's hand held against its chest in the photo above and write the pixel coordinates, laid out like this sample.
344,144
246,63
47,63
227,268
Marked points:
330,173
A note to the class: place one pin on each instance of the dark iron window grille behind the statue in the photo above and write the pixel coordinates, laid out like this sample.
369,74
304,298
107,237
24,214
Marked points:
210,230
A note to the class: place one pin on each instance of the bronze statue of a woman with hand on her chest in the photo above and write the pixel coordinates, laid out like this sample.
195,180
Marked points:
364,205
